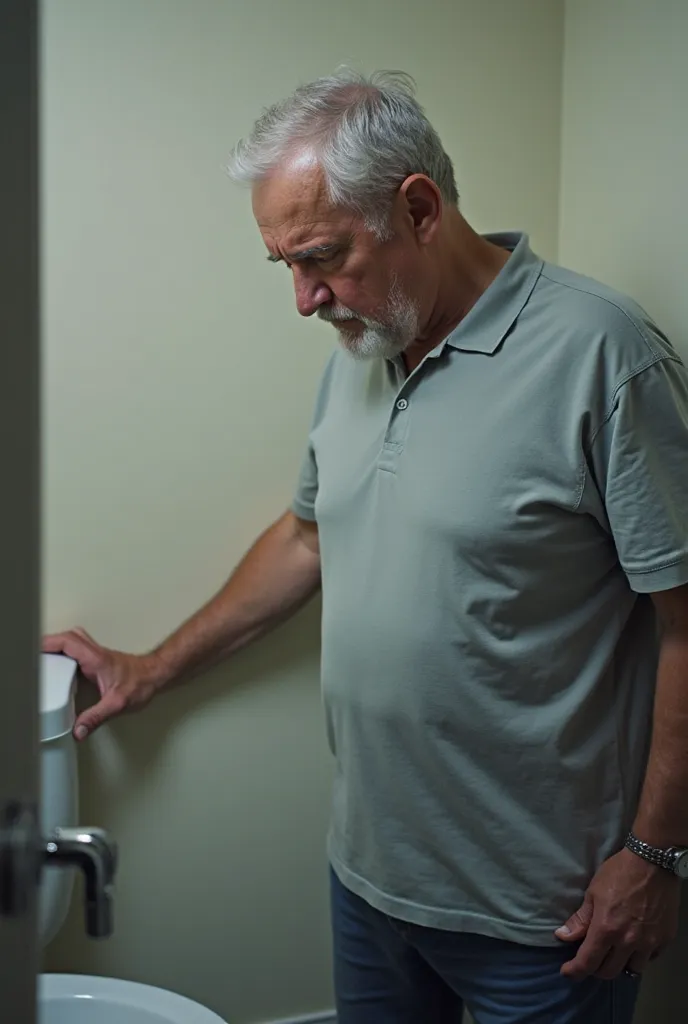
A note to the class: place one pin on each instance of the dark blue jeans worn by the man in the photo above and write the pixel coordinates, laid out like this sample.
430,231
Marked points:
391,972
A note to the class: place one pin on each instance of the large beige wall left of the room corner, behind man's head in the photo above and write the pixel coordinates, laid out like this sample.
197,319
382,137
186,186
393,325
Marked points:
179,383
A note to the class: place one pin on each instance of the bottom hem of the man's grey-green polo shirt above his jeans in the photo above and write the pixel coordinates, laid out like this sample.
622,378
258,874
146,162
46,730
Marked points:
448,921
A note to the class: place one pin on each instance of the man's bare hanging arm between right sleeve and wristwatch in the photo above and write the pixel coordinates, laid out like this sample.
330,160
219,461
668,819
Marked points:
663,814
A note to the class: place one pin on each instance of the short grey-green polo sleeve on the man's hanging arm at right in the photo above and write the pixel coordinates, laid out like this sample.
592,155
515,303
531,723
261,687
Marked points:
641,464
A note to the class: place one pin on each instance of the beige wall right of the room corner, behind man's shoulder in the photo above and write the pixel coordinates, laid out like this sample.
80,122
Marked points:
625,170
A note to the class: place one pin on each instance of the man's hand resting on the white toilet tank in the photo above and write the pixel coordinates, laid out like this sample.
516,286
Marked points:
124,681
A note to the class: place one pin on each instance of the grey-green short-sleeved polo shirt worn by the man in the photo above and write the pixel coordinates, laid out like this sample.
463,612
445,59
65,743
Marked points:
491,529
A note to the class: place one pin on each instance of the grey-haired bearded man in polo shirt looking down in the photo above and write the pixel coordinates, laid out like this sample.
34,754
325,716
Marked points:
494,500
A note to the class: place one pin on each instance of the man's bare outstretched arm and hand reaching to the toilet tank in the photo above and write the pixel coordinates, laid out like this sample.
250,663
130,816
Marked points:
280,574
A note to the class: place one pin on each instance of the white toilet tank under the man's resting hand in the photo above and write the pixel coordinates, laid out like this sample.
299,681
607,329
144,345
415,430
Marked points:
60,800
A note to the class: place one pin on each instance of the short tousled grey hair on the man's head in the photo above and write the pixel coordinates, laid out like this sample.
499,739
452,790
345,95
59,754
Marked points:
367,134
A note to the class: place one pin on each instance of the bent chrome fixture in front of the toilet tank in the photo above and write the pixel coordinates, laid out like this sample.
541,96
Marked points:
96,855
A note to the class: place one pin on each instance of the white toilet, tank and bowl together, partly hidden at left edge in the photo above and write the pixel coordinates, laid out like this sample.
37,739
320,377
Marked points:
67,999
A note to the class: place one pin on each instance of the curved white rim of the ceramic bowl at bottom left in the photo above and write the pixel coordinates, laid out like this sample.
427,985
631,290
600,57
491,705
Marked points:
125,994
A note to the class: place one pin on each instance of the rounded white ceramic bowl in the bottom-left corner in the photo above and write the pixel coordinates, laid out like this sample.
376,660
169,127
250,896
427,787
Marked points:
74,999
